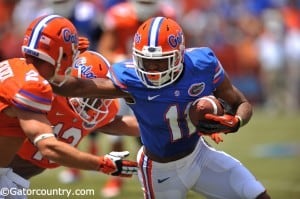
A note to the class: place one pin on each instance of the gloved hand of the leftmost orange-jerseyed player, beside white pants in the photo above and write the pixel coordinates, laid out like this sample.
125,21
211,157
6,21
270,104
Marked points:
113,164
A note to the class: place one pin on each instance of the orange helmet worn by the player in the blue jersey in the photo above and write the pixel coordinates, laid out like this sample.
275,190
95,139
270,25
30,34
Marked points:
158,41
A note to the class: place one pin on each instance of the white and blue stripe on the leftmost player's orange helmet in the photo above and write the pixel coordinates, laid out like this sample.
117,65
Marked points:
36,31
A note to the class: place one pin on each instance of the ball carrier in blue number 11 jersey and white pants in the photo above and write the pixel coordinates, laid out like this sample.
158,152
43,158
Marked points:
161,81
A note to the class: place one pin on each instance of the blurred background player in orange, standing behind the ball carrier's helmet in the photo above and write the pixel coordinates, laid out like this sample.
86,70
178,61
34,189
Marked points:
120,23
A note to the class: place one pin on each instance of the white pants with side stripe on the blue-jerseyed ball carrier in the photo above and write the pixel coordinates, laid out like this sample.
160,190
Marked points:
214,174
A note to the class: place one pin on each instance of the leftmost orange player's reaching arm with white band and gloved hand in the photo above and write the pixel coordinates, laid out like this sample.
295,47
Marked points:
39,131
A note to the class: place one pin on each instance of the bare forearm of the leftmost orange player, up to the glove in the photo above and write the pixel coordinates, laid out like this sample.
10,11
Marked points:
67,155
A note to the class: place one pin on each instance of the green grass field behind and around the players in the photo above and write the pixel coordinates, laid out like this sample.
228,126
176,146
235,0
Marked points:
269,146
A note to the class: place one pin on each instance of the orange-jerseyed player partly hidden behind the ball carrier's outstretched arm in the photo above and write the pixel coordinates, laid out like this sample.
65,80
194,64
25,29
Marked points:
74,118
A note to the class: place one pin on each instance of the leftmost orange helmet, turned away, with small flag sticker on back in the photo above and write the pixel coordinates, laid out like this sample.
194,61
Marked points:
54,39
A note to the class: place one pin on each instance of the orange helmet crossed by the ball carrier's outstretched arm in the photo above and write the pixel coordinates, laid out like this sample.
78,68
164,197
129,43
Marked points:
90,65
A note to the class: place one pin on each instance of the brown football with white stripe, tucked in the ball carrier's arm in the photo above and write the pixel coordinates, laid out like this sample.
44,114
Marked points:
204,105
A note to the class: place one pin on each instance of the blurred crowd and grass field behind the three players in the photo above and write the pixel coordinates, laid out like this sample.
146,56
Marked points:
257,42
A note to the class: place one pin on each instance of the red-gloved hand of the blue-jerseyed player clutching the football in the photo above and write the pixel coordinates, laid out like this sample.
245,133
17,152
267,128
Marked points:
219,124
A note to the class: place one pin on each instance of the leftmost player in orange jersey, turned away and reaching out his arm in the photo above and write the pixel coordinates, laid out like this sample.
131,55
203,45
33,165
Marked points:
50,46
